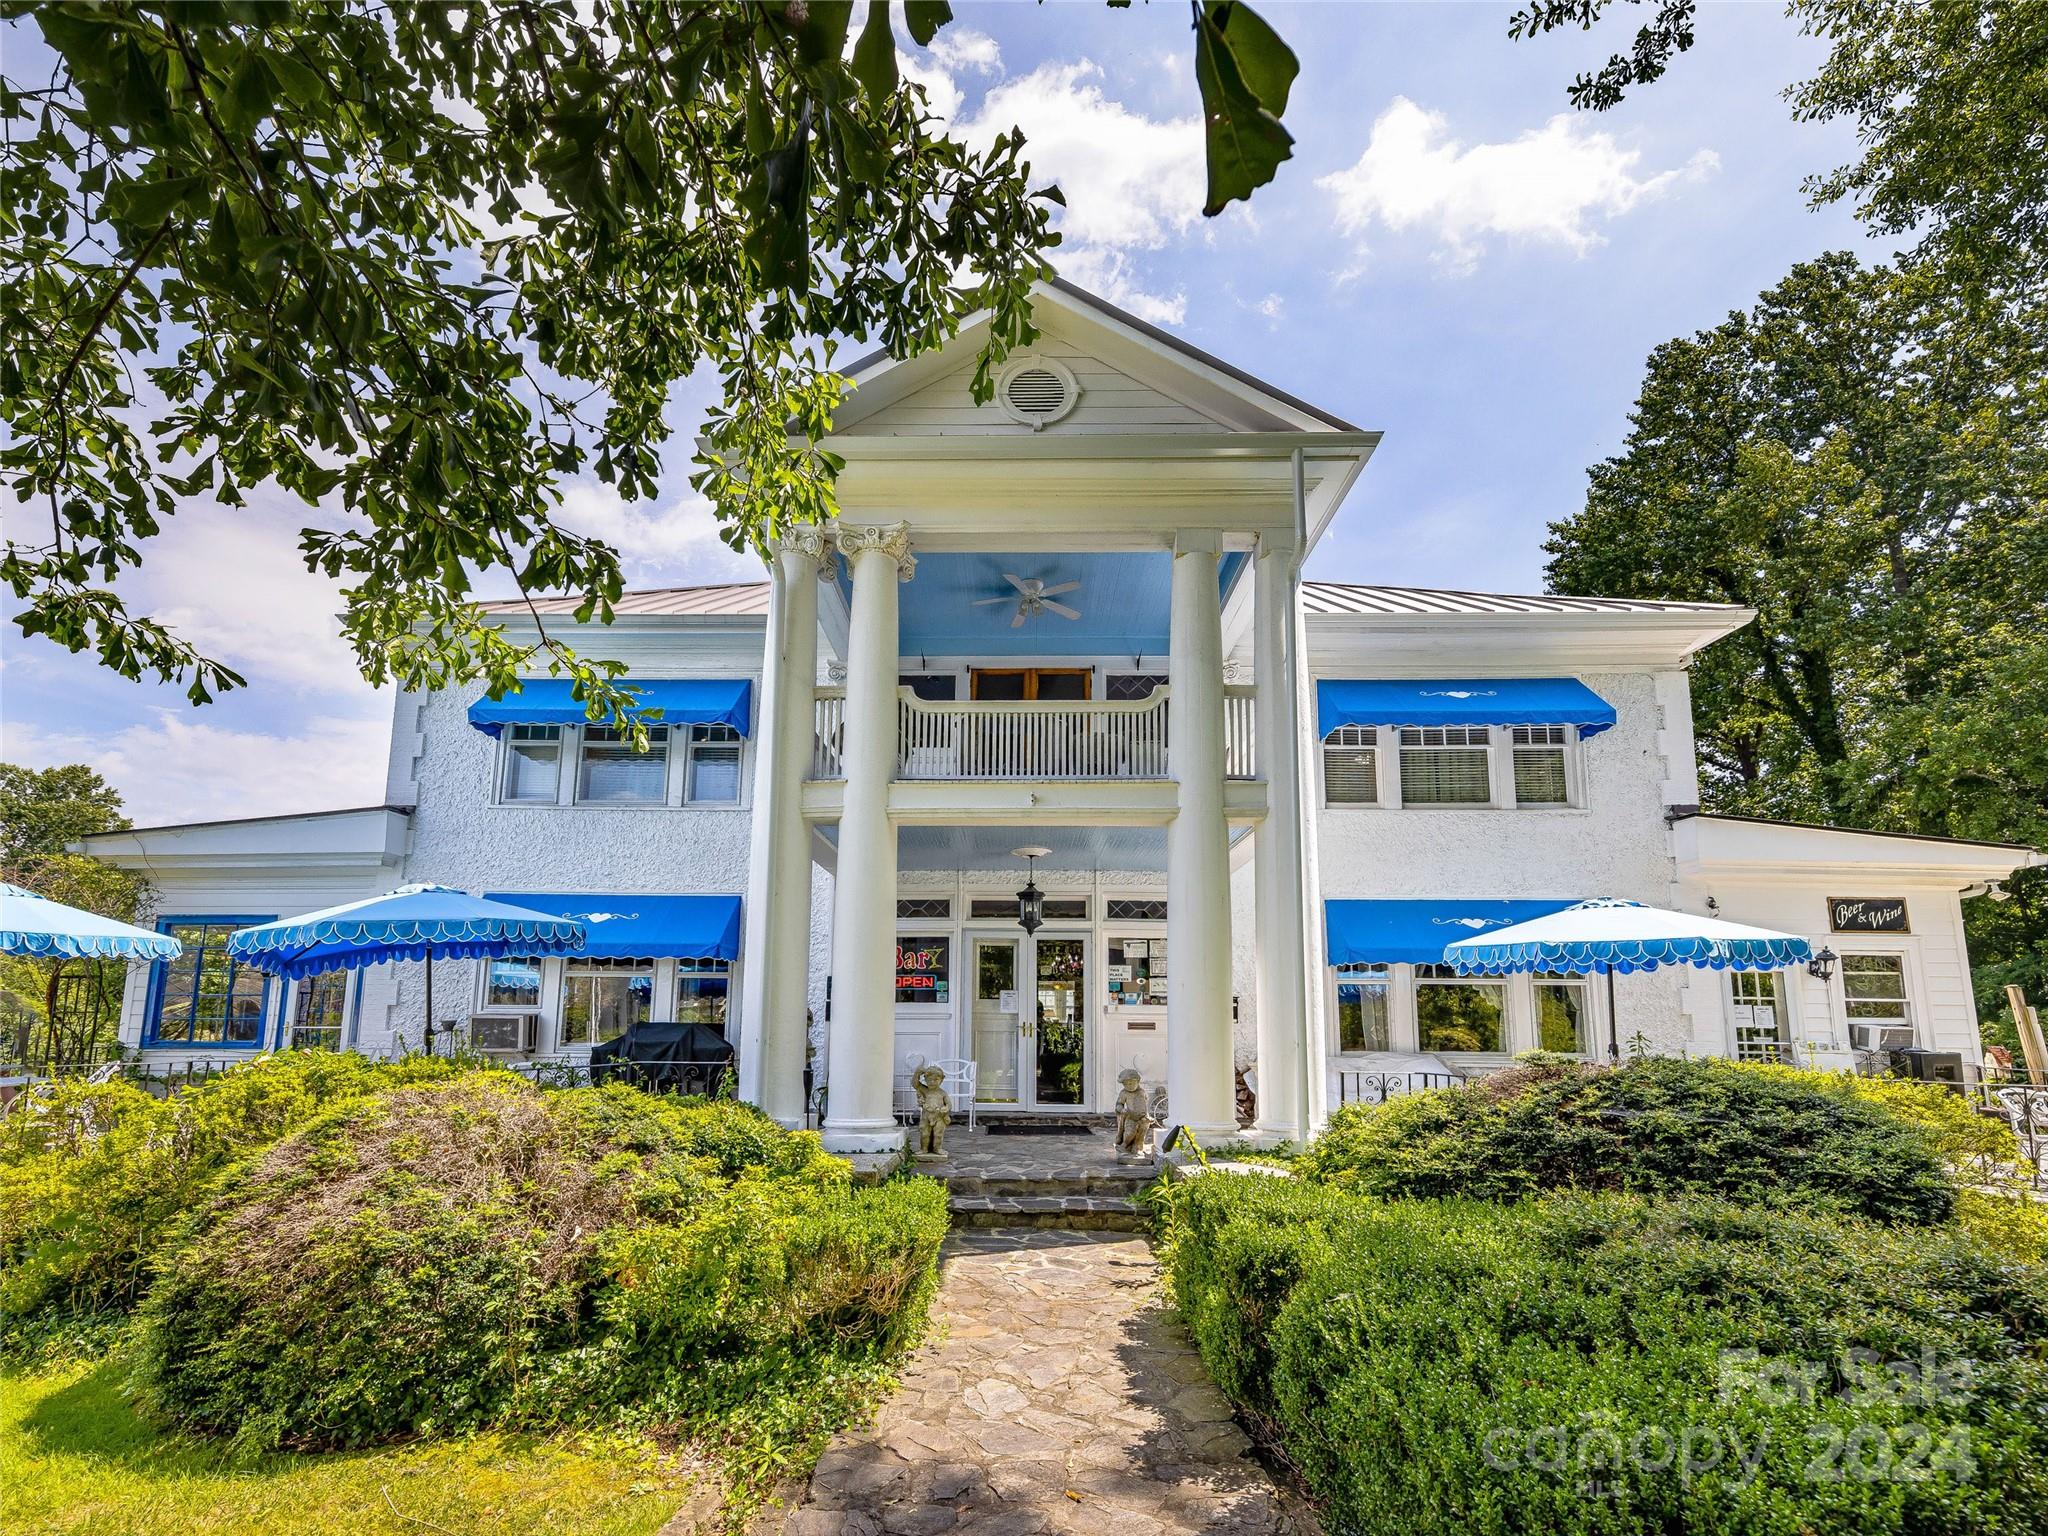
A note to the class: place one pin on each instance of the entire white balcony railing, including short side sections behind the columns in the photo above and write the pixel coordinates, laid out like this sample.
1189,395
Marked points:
1033,740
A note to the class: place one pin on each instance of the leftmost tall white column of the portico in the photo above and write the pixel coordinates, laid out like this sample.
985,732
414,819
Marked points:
779,873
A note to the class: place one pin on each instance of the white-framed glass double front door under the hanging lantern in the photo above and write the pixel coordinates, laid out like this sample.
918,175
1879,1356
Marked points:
1031,1054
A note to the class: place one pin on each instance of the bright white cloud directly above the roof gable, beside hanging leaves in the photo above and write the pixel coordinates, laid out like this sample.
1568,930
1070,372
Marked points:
1132,183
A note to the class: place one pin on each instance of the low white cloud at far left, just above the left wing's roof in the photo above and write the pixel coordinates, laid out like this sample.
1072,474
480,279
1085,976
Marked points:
179,769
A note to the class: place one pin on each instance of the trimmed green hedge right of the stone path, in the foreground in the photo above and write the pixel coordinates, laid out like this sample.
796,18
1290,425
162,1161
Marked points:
1611,1365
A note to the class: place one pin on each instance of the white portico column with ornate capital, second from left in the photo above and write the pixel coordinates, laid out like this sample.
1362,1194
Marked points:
861,1054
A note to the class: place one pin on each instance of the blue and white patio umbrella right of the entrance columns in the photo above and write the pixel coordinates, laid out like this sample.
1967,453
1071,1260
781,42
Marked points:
1611,935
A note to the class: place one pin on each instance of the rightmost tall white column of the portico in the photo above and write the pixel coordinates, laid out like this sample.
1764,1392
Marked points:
1277,863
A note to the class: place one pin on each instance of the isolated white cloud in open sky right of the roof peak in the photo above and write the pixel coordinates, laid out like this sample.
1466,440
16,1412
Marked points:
1549,185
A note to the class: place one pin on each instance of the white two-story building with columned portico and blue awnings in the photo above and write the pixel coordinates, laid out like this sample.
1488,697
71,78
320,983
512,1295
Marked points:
1072,620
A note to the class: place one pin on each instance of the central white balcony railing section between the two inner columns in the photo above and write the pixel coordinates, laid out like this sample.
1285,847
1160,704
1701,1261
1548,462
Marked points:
1084,738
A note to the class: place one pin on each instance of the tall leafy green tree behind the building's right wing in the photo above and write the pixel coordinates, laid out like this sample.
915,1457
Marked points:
1863,458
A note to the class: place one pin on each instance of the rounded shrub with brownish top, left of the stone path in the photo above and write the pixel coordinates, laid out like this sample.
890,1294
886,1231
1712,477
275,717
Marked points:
482,1252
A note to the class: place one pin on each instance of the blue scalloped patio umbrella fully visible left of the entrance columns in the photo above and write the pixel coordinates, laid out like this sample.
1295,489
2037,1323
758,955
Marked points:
417,923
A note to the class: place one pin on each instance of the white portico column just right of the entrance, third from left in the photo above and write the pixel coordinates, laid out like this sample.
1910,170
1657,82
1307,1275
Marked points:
1199,1062
